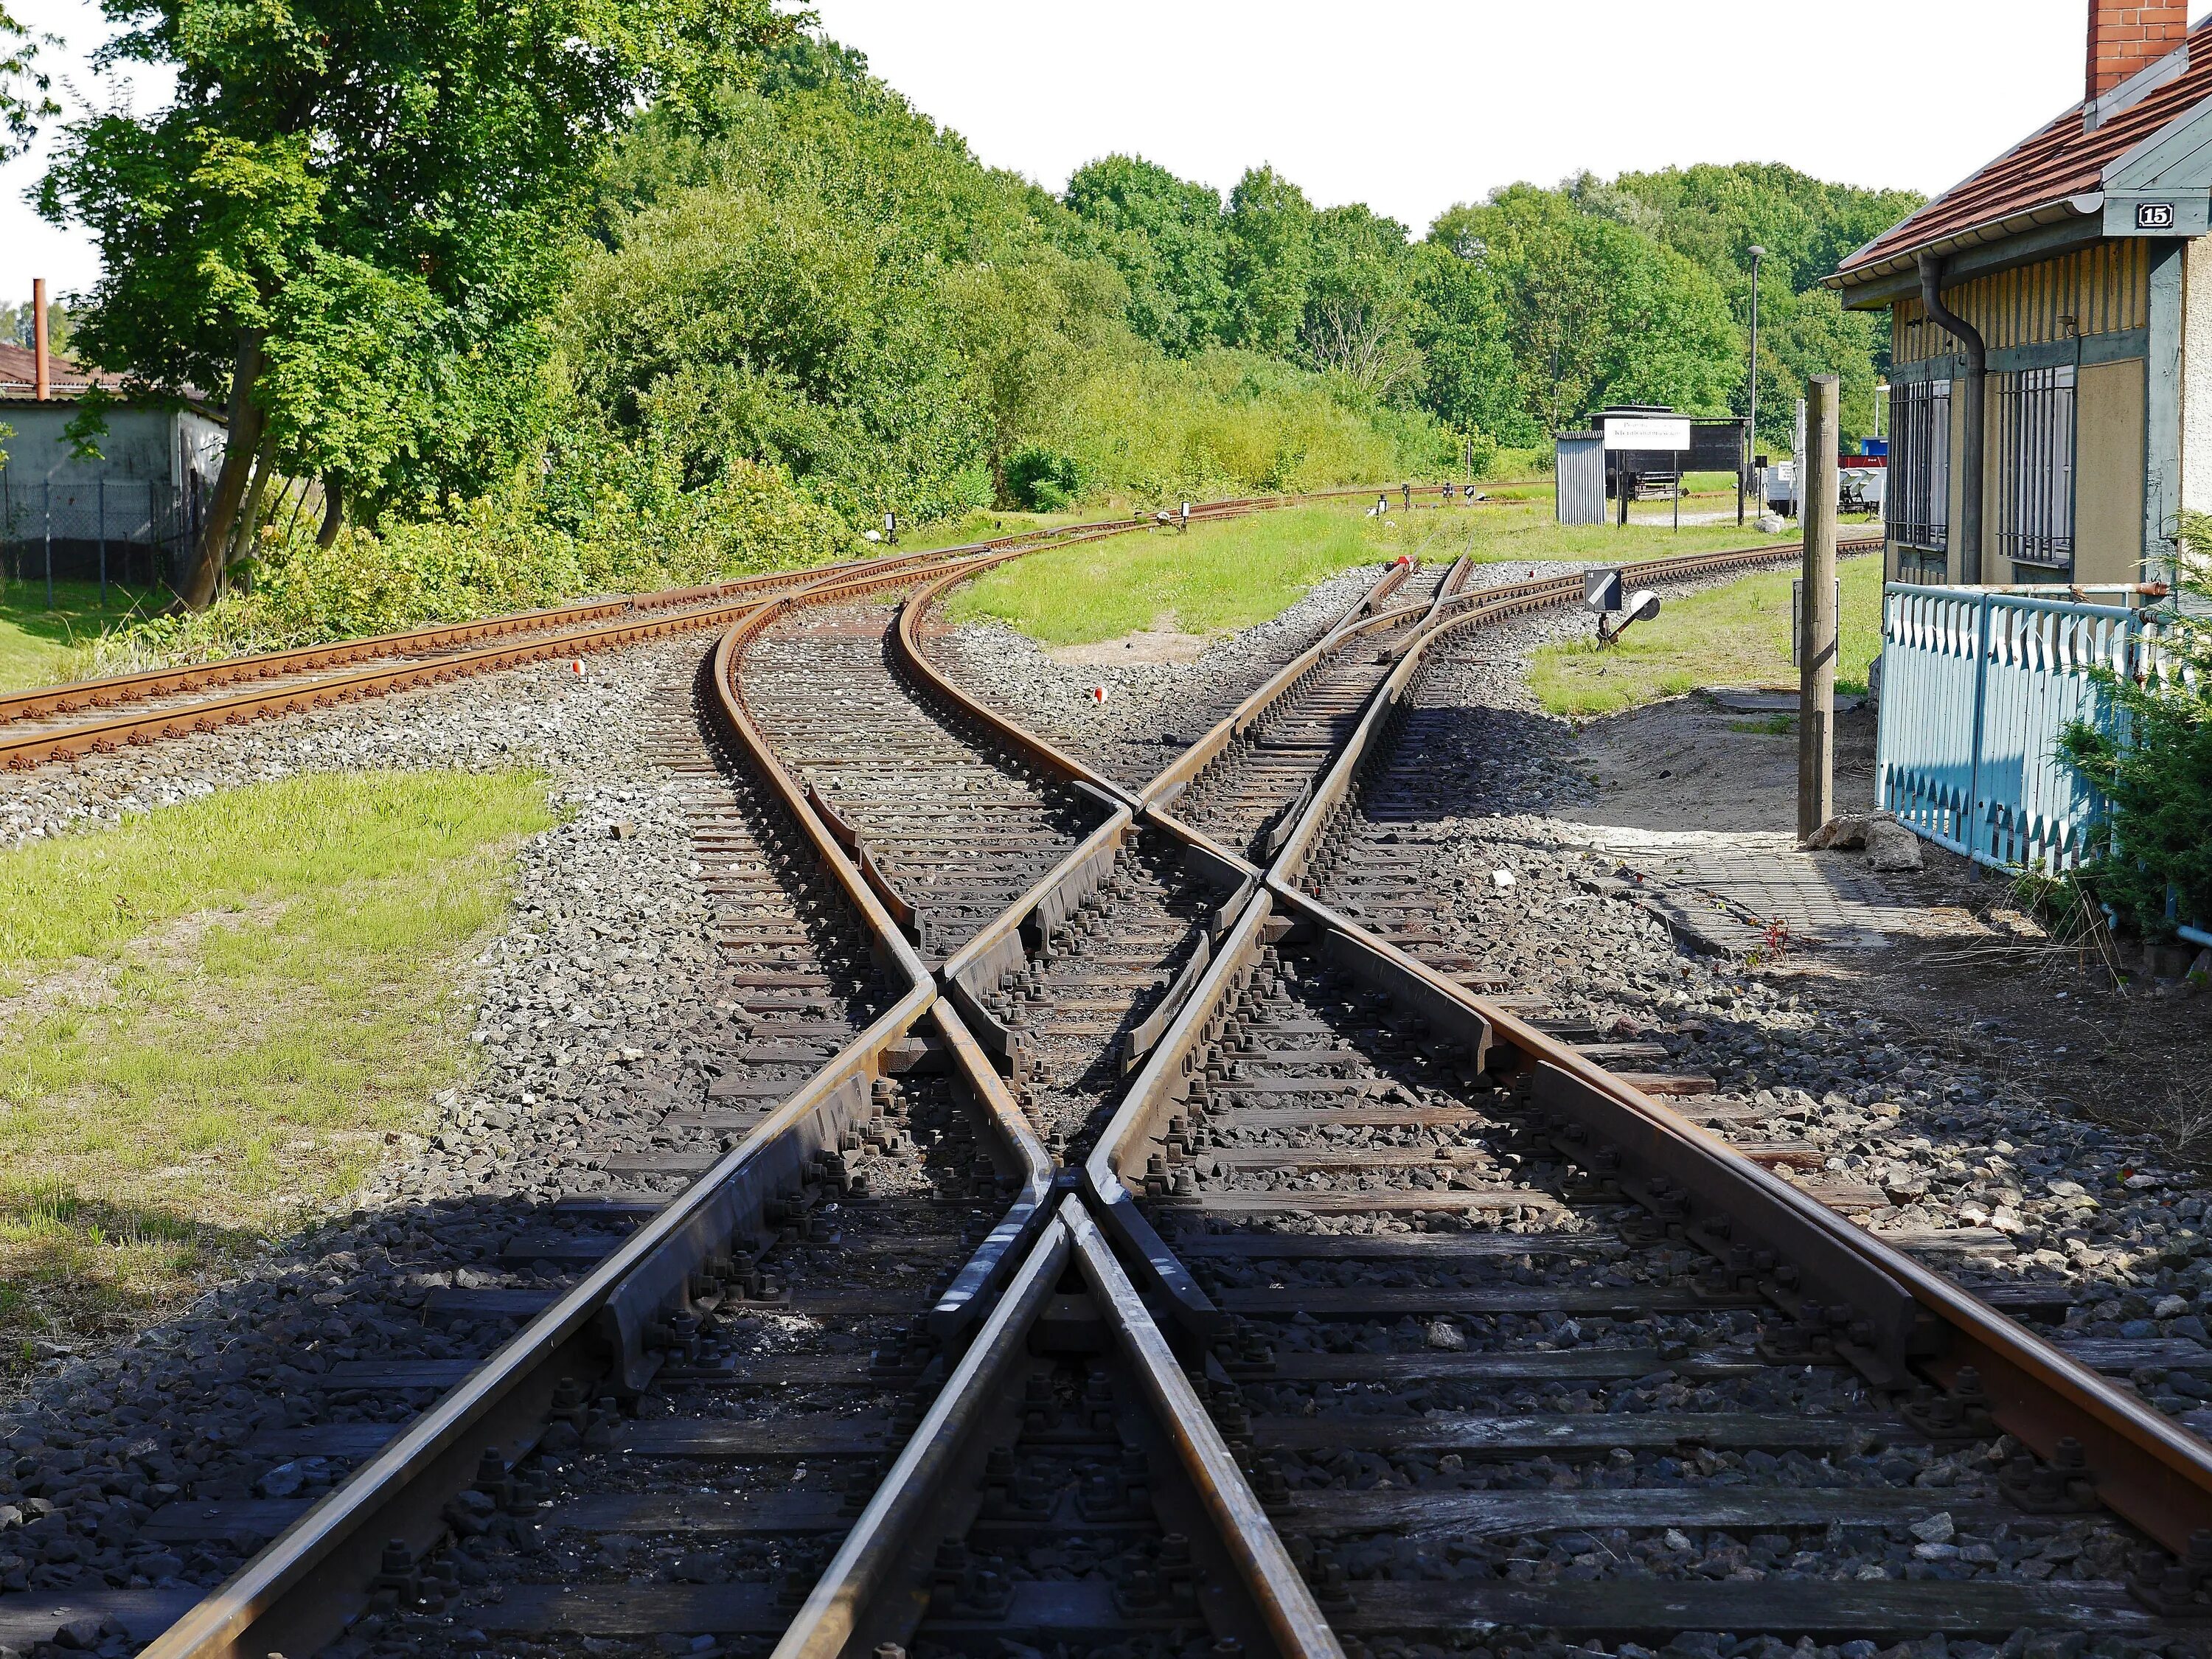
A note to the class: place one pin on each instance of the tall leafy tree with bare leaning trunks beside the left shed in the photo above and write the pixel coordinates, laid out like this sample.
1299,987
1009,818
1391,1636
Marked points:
415,158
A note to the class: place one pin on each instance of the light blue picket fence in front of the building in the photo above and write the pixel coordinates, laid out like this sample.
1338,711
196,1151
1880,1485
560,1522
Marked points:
1976,693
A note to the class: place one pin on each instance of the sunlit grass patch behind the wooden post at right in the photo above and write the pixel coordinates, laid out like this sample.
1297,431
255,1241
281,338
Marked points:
1735,636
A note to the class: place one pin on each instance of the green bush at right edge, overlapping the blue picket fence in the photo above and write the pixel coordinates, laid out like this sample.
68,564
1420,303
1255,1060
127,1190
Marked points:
2153,762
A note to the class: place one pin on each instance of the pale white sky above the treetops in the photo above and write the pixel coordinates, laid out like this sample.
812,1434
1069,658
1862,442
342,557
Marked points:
1404,105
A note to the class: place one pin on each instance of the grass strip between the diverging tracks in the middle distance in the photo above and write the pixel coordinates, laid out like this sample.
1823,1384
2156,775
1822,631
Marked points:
1244,572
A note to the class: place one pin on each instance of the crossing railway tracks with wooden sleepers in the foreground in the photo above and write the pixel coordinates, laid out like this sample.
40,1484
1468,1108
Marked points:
1277,1291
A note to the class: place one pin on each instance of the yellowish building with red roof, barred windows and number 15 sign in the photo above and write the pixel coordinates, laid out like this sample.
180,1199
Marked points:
2052,331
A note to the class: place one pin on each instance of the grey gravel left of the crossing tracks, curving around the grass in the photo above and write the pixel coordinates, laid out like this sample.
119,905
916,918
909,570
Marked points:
594,1016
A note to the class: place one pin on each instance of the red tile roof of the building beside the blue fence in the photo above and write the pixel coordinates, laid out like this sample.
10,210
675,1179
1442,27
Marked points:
2063,160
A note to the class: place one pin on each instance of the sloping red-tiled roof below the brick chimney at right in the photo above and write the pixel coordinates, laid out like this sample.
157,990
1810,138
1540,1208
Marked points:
2047,176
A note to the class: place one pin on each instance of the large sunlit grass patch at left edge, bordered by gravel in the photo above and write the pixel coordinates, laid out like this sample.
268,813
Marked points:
218,1014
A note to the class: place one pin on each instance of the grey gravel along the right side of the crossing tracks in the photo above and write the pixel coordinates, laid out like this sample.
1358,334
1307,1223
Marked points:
1994,1103
